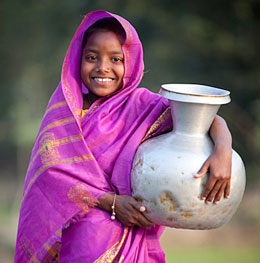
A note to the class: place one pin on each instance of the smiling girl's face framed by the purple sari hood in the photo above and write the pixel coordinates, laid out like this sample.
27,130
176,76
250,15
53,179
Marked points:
102,64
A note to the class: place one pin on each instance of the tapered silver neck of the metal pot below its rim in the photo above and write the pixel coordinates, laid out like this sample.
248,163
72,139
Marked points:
192,119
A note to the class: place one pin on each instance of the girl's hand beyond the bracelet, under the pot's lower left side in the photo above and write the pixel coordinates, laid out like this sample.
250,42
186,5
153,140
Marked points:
129,212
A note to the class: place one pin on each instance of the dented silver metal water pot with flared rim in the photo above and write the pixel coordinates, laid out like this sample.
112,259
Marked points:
163,169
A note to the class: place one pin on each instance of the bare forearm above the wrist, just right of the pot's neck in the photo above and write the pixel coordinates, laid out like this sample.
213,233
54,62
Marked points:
220,133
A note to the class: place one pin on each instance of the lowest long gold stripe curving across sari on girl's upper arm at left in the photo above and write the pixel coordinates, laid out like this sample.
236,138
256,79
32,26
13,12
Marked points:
76,159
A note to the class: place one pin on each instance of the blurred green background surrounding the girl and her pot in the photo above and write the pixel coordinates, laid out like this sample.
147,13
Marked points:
208,42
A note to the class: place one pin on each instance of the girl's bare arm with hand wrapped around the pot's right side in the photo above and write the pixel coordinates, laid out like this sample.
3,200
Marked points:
218,164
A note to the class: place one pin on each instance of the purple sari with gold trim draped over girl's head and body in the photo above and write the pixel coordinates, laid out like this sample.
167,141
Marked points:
76,160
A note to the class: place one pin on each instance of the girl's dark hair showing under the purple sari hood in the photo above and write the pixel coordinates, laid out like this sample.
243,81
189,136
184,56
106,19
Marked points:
109,24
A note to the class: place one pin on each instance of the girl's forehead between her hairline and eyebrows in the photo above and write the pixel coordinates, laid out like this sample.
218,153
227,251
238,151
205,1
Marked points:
103,40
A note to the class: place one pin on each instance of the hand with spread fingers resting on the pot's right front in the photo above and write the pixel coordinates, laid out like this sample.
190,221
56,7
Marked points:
219,166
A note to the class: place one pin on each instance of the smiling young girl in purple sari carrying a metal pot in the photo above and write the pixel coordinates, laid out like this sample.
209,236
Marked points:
79,172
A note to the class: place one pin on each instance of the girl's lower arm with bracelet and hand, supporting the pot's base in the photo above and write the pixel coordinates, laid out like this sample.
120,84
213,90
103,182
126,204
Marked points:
128,210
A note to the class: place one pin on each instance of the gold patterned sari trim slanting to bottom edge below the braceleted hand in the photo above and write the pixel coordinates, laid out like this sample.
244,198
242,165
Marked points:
110,255
